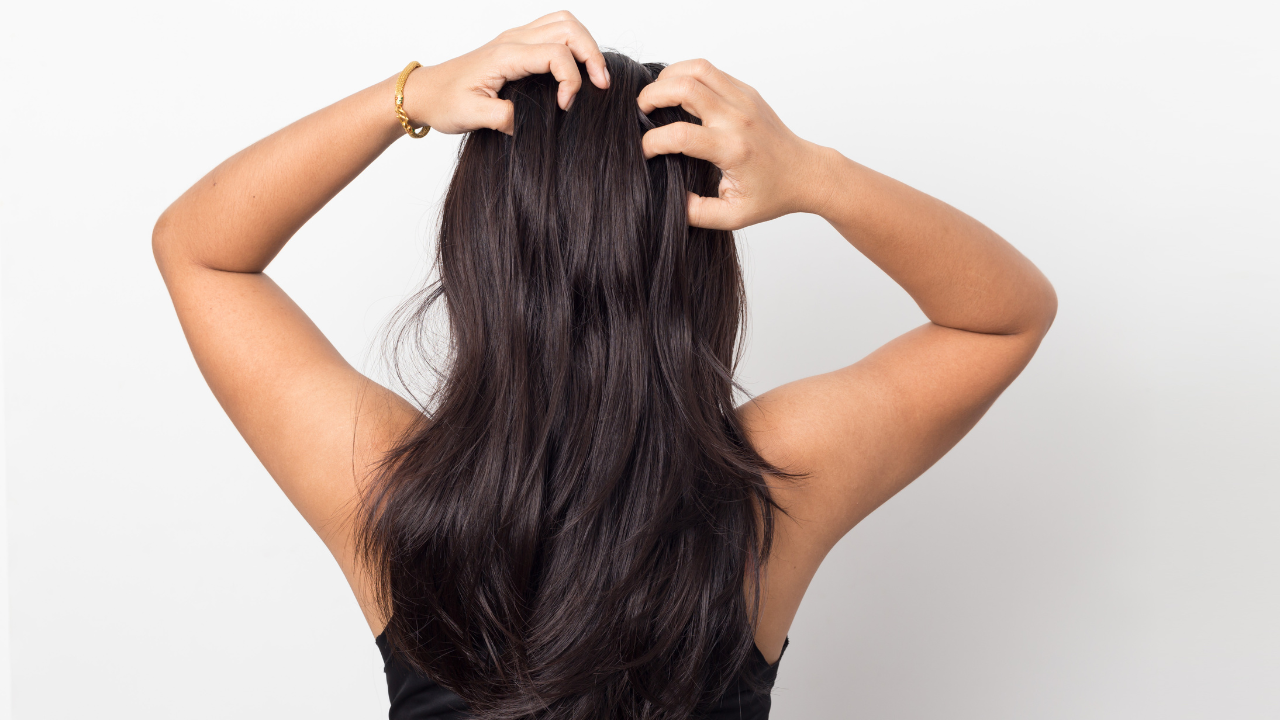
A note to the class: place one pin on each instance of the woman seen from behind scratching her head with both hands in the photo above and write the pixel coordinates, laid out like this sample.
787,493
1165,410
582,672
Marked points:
584,526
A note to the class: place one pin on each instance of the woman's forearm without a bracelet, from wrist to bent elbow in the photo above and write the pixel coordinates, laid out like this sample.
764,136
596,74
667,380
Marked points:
959,272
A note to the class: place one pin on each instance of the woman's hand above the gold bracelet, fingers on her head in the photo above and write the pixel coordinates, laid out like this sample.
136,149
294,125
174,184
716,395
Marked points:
461,95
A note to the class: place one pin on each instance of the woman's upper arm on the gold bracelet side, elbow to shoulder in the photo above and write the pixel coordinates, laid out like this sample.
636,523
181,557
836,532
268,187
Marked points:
317,425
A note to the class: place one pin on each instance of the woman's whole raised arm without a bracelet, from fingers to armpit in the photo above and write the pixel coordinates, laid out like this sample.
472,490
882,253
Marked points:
867,431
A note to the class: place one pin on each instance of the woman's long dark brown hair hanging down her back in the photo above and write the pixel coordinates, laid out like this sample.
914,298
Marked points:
578,526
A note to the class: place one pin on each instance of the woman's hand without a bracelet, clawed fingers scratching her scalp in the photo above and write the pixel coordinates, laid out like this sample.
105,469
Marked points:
769,171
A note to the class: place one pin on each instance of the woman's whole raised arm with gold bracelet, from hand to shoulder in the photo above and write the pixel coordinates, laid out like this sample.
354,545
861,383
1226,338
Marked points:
282,384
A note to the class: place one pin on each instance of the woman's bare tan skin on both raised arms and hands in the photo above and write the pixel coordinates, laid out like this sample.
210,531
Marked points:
863,432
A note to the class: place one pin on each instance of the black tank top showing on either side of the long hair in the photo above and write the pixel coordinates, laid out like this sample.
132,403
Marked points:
418,698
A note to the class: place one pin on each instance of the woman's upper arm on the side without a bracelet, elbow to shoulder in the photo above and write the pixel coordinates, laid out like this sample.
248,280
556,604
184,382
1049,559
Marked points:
865,432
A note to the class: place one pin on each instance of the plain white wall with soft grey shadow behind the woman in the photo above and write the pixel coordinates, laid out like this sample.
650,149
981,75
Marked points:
1103,546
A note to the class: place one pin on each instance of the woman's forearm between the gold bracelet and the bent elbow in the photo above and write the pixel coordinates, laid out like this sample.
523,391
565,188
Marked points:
240,216
